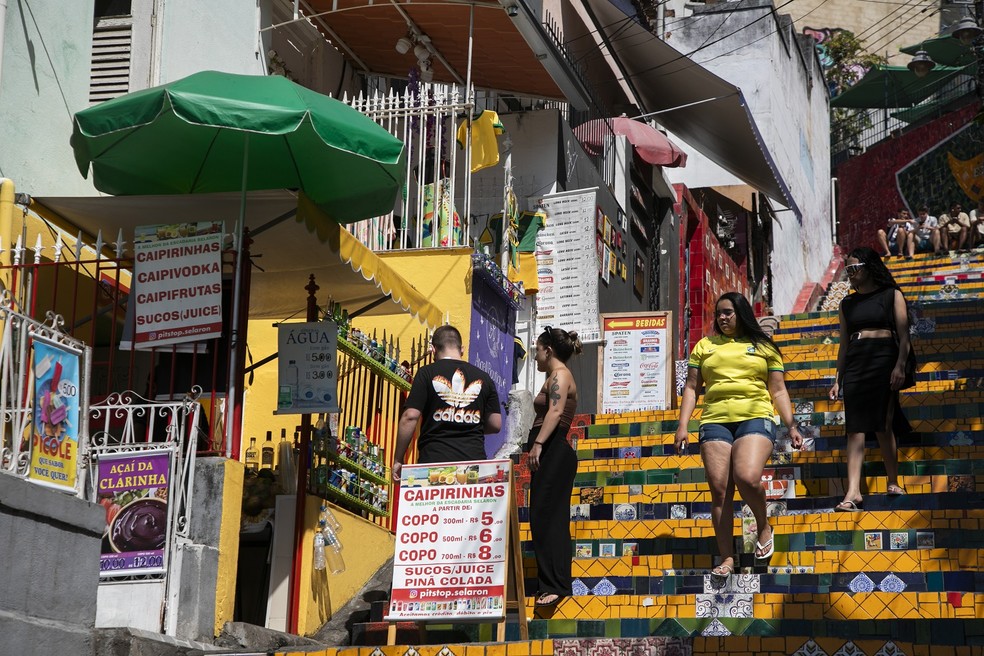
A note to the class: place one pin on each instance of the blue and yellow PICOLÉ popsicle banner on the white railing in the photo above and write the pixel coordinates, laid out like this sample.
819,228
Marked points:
55,440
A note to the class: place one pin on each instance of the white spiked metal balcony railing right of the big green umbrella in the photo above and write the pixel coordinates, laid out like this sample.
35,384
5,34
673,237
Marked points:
434,208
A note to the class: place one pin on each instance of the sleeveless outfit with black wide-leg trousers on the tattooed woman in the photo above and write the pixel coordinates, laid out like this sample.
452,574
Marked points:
550,501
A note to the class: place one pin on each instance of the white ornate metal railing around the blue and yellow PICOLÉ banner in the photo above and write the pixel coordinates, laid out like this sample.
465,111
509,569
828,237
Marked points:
17,383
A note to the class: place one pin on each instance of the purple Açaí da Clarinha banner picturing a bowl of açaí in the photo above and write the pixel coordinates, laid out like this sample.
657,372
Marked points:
134,490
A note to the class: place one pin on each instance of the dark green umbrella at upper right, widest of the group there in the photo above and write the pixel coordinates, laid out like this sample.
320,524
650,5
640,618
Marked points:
896,86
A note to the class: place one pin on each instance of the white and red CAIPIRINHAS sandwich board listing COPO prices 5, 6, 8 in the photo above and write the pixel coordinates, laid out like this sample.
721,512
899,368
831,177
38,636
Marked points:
451,541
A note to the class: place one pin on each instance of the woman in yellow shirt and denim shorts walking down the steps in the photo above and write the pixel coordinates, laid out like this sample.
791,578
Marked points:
743,372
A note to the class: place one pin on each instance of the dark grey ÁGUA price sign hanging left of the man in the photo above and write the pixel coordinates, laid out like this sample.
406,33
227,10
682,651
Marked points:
307,360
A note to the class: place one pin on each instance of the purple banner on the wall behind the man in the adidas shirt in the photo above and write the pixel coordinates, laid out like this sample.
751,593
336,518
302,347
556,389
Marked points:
491,348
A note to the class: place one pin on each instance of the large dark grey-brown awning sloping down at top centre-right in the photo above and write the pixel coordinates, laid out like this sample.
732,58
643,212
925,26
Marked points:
709,113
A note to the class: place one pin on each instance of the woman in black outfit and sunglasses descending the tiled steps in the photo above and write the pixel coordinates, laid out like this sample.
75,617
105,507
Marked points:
874,344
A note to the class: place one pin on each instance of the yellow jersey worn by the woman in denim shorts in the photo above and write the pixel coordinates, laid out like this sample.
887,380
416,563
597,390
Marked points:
735,374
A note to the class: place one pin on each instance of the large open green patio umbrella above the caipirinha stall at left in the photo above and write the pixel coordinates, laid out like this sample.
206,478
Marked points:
213,132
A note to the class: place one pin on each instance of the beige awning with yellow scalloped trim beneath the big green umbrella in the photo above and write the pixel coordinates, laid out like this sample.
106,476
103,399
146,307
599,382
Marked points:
305,241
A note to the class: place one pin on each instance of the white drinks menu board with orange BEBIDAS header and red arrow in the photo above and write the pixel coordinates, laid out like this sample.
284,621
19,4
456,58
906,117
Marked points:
636,361
